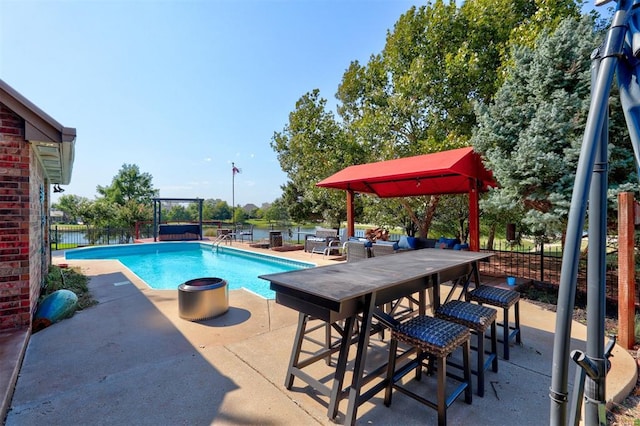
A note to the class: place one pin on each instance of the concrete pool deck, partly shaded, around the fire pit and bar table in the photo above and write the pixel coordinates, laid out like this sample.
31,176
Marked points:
132,360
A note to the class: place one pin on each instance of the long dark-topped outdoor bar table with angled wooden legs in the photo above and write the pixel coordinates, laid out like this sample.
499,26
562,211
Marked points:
345,290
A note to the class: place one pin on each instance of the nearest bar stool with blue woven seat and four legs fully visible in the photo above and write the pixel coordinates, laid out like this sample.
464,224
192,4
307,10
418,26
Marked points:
433,338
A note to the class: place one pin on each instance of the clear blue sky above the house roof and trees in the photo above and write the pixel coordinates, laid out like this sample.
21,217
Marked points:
184,88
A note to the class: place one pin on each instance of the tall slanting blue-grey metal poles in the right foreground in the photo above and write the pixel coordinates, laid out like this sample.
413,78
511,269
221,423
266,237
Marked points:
603,69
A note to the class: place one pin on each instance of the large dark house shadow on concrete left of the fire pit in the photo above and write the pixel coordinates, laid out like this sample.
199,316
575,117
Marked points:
119,362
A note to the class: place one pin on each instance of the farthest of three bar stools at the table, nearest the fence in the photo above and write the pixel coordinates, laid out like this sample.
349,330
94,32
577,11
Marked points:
504,299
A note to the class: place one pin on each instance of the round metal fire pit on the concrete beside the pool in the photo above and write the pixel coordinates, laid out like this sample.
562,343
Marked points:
203,298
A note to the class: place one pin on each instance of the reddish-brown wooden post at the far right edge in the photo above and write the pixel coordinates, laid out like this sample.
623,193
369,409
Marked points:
626,270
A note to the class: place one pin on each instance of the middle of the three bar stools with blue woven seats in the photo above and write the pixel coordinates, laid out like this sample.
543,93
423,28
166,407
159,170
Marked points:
478,318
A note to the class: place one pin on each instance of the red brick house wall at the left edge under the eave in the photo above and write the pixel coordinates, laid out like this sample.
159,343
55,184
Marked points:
21,235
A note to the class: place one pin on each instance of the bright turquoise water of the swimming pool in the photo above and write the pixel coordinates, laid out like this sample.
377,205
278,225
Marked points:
167,265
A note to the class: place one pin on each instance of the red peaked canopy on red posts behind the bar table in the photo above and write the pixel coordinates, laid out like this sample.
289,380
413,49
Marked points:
457,171
